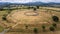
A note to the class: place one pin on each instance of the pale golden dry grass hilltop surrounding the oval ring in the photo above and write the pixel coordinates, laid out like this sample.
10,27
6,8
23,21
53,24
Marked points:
24,19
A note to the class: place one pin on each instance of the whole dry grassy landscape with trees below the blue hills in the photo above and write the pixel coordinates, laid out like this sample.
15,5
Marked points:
27,20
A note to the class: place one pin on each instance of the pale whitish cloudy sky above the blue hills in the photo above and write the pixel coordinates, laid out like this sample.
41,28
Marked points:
26,1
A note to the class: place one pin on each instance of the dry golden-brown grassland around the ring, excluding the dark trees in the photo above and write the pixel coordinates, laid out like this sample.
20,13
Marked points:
23,21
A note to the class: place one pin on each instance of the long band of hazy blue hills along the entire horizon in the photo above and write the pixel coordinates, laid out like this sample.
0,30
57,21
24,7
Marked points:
50,4
